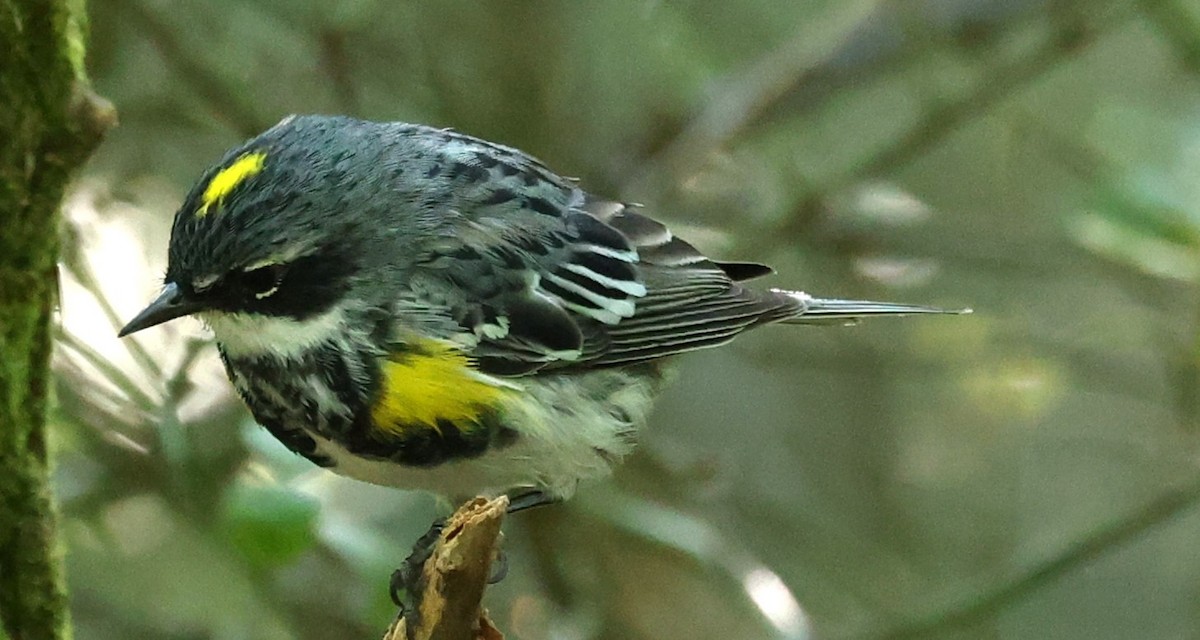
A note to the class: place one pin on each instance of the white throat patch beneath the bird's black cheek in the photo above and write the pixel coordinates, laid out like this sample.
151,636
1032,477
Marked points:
250,336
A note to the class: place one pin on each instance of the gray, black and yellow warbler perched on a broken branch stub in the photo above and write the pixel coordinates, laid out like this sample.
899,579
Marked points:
421,309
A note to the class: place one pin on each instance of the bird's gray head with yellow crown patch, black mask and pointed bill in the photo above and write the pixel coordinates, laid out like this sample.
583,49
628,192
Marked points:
266,247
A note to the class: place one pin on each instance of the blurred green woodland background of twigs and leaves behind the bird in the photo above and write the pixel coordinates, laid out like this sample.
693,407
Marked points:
1029,471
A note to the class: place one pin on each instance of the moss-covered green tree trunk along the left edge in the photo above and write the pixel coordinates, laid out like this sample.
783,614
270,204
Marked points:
49,125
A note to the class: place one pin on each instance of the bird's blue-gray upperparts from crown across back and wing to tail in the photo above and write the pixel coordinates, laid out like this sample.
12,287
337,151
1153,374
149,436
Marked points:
542,274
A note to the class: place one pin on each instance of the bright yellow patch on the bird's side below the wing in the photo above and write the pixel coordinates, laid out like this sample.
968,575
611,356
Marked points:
436,382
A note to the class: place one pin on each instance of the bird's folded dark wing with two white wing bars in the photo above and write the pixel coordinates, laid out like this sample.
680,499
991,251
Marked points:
583,282
